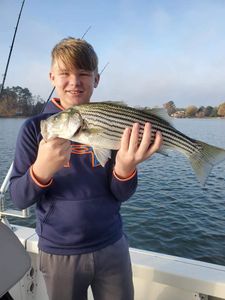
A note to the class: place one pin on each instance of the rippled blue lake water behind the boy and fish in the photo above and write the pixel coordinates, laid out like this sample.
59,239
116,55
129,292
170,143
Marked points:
170,212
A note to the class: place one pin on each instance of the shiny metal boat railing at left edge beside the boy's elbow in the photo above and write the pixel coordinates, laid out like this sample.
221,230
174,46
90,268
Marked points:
8,211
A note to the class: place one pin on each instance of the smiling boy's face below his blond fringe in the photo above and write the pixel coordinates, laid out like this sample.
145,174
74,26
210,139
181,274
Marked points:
74,86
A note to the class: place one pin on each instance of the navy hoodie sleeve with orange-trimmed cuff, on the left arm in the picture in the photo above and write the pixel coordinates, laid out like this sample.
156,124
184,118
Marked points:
23,188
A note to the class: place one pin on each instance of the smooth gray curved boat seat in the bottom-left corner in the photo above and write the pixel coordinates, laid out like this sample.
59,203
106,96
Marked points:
14,260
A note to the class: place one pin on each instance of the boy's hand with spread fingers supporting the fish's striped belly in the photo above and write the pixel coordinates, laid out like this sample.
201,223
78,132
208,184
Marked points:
132,153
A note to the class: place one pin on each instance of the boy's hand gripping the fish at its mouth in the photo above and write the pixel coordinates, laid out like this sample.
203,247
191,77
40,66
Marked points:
51,157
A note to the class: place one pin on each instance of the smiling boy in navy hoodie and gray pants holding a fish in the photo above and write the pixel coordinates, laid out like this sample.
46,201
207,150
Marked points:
79,226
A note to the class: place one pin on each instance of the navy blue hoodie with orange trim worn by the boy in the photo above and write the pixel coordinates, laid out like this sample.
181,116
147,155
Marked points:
78,211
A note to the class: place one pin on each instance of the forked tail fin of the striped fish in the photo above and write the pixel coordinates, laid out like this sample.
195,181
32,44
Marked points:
204,159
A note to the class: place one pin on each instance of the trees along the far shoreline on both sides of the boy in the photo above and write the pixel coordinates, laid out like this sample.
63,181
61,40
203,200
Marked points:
18,101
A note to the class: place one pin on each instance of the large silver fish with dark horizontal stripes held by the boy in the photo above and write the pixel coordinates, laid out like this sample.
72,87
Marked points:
101,125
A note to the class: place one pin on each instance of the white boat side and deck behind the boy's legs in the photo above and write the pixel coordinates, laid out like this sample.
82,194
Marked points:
156,276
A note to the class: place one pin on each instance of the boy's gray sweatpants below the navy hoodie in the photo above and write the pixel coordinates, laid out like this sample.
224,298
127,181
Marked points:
107,271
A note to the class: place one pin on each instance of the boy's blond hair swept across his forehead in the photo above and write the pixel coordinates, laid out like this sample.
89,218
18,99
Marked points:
75,53
